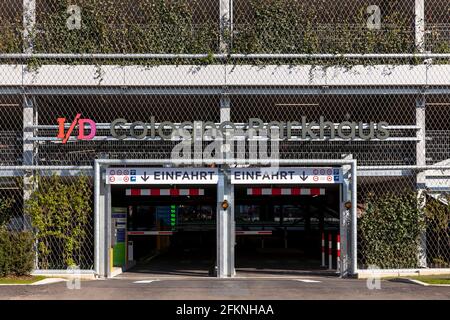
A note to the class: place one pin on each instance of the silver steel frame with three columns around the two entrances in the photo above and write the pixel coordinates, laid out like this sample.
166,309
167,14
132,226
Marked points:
225,216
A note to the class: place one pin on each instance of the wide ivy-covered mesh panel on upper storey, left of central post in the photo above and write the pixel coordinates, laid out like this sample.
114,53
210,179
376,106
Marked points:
127,26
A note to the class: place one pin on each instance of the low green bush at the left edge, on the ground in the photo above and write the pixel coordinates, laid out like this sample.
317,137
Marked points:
16,252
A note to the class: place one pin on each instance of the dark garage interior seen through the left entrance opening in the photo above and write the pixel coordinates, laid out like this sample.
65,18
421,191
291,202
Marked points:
164,230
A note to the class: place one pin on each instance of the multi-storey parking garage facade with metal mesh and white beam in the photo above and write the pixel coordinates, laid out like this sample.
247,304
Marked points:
286,204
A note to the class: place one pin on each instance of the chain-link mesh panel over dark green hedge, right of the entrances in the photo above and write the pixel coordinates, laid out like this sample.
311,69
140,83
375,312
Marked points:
400,228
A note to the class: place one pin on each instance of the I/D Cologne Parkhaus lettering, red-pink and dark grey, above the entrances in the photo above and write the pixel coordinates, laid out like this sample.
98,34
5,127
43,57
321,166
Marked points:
120,129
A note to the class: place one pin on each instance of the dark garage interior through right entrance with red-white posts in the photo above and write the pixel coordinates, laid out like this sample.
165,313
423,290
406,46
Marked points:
279,229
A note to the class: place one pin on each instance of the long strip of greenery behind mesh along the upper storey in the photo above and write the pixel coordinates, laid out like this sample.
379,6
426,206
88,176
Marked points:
188,26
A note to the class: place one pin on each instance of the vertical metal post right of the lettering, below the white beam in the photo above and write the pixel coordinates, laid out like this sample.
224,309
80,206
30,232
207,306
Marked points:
420,179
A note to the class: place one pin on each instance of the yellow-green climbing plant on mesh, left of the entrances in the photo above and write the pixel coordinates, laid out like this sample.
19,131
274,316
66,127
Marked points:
60,213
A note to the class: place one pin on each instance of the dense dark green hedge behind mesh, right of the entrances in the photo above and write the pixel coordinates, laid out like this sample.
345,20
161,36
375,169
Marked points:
389,231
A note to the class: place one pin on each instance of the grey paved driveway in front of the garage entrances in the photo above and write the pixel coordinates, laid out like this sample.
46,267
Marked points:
135,286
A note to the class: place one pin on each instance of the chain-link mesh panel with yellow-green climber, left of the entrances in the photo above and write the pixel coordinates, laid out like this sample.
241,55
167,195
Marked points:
58,207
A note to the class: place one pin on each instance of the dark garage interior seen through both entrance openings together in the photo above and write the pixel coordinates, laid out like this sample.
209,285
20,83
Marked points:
171,231
